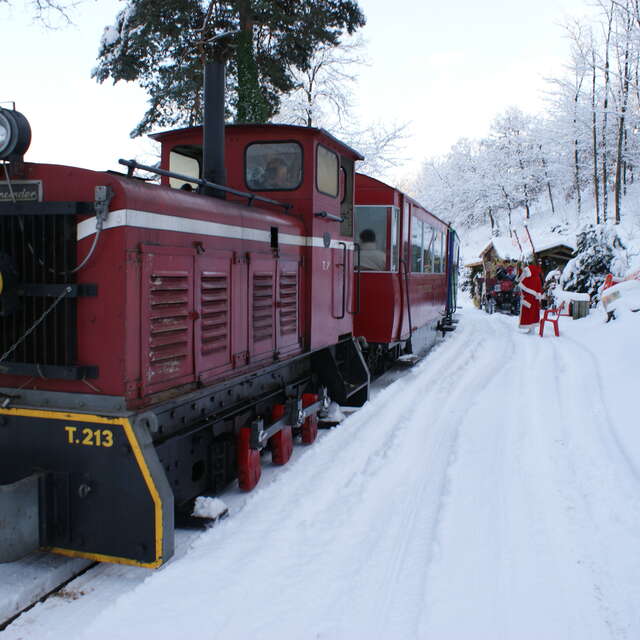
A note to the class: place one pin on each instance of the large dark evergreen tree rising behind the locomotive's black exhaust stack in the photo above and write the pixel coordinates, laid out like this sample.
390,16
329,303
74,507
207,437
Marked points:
162,44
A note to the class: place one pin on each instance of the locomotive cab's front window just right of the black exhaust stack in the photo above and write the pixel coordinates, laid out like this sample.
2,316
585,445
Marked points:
273,166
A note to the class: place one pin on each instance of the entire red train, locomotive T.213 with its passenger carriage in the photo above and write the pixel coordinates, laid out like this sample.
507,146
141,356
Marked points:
156,339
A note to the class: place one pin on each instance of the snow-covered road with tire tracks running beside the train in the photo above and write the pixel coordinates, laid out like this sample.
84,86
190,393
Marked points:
492,492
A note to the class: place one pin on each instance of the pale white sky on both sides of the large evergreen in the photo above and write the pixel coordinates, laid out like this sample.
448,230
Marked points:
445,68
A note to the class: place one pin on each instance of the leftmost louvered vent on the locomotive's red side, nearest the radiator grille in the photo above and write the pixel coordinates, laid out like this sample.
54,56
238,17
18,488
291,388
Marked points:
169,320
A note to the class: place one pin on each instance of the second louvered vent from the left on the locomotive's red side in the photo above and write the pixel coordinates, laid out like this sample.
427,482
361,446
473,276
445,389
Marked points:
215,313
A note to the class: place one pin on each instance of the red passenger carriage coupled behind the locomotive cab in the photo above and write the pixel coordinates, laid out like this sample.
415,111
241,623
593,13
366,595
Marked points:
403,303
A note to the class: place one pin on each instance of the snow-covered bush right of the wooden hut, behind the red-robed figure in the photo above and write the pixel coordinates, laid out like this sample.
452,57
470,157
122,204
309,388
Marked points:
599,252
